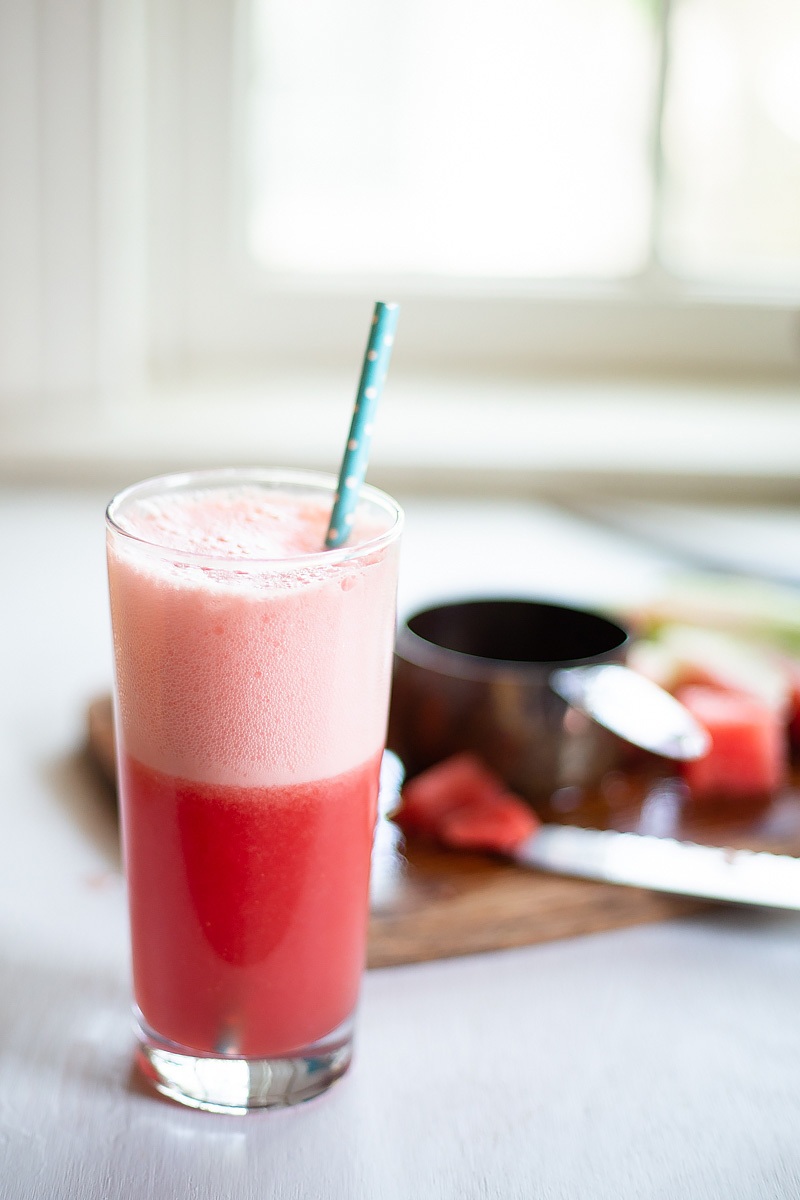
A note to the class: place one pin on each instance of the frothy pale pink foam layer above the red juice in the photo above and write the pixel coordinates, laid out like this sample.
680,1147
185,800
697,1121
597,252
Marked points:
266,677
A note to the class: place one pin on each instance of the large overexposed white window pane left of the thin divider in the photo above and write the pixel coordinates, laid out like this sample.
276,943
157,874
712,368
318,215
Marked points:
452,136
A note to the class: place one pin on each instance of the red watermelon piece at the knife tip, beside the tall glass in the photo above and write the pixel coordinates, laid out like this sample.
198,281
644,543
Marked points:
464,805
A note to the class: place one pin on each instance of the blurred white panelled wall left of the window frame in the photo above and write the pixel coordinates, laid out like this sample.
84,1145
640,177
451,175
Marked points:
73,94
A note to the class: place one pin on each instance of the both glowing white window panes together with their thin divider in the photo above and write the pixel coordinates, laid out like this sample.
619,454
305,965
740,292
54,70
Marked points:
527,139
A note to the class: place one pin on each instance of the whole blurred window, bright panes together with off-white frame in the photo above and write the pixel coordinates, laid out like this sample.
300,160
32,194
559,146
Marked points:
530,177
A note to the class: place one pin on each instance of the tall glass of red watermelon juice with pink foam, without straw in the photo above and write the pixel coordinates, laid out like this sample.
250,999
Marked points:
252,689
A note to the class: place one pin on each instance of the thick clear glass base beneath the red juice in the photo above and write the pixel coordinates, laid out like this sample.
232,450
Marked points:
228,1084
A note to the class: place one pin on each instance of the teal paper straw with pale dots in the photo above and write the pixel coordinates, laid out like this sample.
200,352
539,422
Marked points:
357,453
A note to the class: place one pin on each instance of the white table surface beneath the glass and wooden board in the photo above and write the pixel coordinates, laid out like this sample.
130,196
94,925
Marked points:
653,1063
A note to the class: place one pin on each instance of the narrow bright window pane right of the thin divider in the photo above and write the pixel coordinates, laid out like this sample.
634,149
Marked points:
732,141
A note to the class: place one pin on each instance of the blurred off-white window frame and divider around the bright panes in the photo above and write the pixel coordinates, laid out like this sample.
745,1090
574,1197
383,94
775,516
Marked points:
213,310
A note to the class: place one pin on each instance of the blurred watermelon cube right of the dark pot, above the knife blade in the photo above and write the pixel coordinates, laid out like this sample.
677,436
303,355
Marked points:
749,754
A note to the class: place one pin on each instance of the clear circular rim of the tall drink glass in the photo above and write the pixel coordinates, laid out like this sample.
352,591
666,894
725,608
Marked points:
317,481
